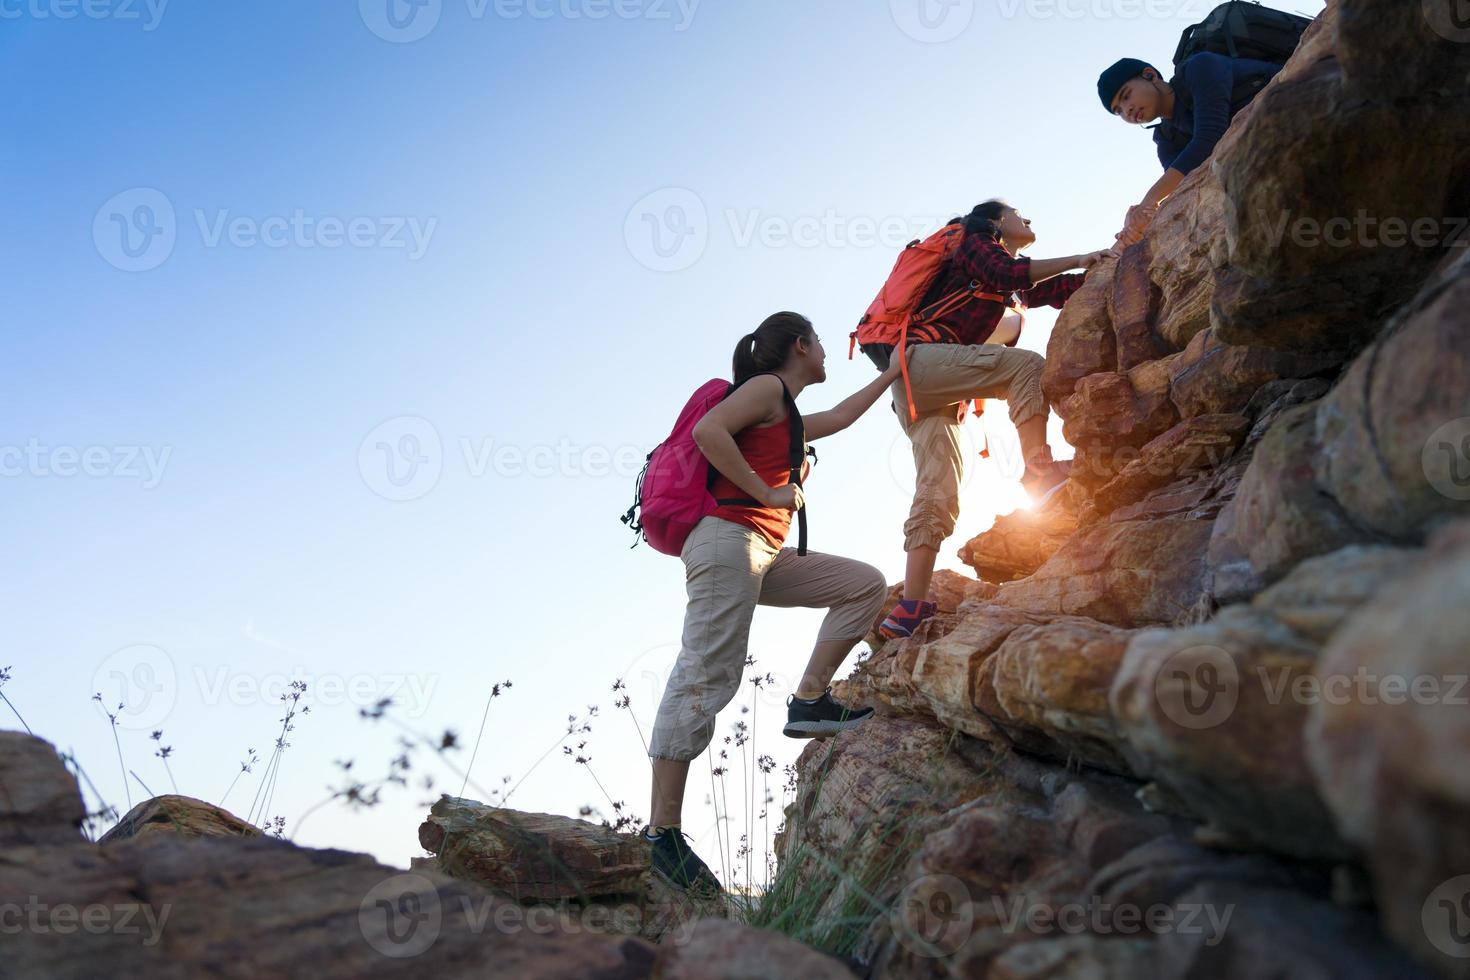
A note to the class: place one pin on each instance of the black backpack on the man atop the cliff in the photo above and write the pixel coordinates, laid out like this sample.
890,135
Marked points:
1237,30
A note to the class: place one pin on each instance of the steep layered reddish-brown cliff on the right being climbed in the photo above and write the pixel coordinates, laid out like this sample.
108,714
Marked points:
1225,675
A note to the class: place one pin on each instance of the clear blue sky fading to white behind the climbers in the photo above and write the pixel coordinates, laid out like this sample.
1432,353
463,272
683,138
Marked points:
333,331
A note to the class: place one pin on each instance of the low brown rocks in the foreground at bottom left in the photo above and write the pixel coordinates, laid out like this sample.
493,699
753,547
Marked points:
184,890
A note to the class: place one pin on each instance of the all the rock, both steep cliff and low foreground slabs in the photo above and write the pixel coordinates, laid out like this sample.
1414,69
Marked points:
1206,716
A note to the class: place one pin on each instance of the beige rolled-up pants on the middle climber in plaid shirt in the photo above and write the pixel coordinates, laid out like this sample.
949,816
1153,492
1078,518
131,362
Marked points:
943,378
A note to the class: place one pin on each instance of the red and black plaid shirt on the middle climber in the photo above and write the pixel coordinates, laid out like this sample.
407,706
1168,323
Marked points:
986,262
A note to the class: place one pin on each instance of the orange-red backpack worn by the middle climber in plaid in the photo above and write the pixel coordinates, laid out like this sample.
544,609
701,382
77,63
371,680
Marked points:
896,315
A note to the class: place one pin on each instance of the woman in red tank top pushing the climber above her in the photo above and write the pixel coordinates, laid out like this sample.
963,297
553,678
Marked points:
734,562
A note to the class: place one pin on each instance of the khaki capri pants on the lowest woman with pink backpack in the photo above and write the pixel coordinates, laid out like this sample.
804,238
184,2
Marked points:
730,571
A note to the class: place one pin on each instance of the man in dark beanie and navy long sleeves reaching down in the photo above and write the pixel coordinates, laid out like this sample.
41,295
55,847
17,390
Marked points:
1196,109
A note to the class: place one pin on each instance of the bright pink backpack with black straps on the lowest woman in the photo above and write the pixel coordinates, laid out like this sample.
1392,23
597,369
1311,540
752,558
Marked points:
674,489
